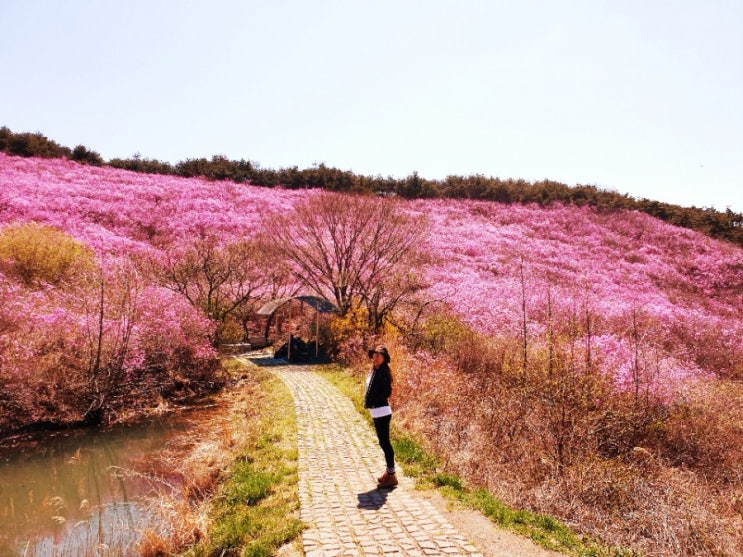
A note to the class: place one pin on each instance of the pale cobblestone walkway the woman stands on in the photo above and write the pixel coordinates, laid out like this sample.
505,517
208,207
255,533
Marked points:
339,459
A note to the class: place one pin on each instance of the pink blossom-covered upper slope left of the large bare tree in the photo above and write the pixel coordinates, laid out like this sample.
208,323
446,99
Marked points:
118,211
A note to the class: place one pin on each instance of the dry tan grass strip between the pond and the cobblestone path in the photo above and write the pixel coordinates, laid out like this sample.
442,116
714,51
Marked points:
205,463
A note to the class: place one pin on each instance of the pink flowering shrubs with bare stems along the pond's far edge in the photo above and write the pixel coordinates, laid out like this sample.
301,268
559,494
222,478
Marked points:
86,351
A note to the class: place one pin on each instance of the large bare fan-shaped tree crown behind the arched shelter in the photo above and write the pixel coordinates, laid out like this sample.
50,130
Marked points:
353,250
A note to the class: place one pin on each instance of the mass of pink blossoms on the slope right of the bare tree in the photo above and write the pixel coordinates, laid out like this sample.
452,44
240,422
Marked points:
664,302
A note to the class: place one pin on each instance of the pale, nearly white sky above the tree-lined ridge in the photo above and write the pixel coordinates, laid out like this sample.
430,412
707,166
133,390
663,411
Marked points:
643,97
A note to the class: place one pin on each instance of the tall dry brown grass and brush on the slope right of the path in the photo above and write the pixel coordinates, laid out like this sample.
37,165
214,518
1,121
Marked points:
661,477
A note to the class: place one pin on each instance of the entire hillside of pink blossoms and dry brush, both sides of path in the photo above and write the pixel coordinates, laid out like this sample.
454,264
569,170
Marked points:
560,345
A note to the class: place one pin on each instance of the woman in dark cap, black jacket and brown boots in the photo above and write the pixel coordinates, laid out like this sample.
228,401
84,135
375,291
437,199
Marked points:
378,390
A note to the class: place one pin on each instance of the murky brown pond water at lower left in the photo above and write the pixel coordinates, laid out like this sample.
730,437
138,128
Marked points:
82,492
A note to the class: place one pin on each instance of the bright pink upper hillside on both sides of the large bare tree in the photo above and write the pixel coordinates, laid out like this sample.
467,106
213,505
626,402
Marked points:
686,288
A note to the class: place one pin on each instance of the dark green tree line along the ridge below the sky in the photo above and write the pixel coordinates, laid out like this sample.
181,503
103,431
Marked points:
727,225
